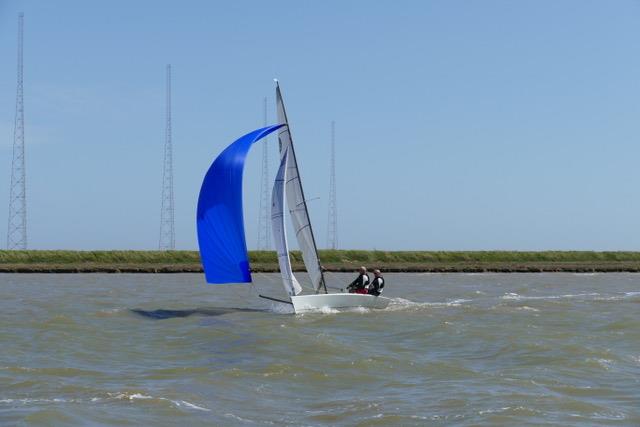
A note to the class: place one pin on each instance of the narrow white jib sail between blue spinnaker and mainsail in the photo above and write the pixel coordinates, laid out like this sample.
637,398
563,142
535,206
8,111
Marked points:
291,285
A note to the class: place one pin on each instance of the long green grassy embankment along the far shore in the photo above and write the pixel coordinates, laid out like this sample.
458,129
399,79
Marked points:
343,260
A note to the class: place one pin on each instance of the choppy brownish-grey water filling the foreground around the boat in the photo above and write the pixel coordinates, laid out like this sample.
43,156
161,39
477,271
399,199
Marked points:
455,349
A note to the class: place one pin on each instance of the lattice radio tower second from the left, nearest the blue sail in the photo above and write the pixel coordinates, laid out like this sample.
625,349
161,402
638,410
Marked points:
167,223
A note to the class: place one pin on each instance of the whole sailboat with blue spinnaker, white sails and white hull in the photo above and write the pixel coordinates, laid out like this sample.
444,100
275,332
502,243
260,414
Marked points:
220,224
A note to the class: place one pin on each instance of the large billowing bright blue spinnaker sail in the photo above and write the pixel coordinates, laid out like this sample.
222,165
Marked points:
223,249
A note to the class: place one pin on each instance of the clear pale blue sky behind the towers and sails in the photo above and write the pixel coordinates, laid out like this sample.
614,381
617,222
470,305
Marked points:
459,124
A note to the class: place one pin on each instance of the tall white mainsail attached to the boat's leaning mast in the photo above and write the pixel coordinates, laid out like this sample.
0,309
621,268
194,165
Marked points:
296,202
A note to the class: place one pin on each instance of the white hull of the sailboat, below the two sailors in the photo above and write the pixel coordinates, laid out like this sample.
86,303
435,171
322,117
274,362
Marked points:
318,302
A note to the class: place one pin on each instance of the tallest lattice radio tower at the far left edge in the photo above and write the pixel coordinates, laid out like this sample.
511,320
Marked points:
17,224
